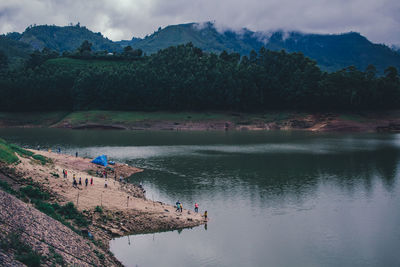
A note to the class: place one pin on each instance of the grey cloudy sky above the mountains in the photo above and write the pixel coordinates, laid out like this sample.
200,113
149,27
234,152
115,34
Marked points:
379,20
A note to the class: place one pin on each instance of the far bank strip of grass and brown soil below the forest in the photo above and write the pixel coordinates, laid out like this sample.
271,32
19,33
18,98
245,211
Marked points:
367,121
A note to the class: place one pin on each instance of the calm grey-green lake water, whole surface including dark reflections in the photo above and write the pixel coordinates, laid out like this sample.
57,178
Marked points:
273,198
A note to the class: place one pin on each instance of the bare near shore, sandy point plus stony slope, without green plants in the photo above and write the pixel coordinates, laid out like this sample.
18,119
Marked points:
116,210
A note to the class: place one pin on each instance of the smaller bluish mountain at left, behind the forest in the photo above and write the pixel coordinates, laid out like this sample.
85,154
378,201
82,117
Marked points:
67,38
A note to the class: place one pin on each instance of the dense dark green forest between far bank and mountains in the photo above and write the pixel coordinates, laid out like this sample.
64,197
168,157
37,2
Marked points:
186,78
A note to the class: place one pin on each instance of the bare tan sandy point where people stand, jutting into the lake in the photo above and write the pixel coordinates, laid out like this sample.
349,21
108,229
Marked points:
119,209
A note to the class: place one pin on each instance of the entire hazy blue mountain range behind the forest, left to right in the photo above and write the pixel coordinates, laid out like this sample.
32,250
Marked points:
331,51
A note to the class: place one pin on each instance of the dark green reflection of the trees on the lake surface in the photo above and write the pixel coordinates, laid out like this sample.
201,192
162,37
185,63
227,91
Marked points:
277,174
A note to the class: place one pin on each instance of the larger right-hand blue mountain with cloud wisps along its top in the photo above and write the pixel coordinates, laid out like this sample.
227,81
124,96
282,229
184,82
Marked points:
331,51
